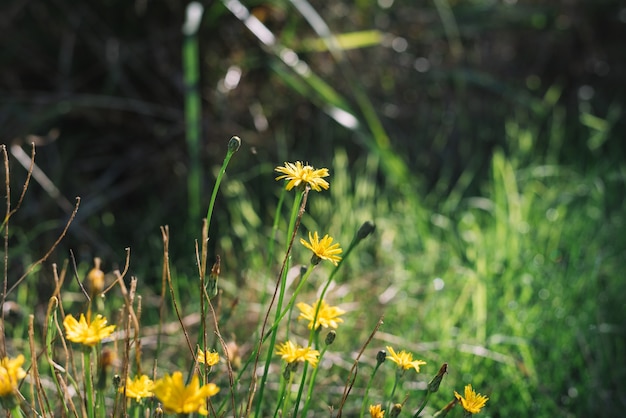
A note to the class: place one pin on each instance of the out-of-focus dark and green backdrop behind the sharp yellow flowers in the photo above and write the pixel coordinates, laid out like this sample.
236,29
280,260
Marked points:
484,138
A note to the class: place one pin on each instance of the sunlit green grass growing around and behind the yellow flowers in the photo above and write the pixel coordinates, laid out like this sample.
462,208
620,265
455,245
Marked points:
501,287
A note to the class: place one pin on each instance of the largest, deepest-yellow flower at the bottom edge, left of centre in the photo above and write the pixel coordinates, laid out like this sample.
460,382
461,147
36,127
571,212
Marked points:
180,399
